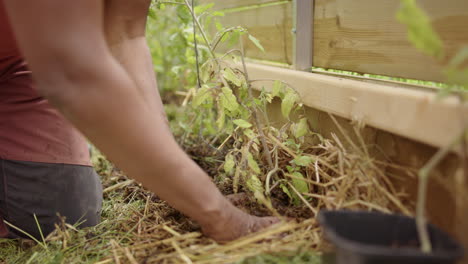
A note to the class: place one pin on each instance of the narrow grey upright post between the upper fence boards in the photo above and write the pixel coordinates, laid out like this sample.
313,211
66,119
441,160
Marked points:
303,29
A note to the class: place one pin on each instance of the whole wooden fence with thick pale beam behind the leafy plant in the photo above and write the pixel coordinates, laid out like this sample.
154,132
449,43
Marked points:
405,120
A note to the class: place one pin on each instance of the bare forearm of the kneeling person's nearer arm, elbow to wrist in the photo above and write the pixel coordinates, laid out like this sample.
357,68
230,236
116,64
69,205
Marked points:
112,114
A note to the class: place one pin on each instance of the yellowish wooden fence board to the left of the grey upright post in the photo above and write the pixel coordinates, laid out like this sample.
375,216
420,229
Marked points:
272,25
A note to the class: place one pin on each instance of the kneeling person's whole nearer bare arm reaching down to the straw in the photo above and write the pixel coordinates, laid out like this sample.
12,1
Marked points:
74,69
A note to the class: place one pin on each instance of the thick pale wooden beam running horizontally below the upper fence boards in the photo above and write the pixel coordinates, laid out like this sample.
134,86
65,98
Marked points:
412,113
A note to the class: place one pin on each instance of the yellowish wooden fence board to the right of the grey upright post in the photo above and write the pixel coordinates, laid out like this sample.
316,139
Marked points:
364,36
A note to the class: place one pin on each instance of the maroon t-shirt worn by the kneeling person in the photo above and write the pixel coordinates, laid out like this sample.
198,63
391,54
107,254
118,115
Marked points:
30,129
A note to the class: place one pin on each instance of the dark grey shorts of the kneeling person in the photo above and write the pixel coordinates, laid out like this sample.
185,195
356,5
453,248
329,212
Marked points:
45,190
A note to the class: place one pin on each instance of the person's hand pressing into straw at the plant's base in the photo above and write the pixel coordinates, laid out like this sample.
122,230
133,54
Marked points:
234,224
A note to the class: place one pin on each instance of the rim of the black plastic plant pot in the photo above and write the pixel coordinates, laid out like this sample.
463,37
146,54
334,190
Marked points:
373,250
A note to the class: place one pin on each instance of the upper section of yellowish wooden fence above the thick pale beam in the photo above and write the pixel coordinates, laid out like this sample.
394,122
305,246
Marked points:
359,36
